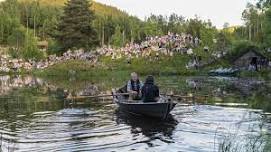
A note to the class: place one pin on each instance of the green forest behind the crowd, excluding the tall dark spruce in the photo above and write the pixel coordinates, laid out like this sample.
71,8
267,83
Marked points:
25,23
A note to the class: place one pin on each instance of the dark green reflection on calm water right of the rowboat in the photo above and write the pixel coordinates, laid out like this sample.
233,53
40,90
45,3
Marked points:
254,92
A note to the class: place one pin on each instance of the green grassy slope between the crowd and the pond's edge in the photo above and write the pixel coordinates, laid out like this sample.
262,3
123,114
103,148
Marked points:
119,69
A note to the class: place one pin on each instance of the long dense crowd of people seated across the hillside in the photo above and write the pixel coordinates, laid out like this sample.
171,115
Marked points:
152,46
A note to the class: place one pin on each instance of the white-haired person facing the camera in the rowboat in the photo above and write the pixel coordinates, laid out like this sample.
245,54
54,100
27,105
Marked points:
134,87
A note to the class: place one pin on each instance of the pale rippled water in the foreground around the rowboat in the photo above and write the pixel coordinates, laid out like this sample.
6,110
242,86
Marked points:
191,128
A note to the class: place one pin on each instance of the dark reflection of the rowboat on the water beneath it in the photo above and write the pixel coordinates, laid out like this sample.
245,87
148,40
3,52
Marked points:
149,127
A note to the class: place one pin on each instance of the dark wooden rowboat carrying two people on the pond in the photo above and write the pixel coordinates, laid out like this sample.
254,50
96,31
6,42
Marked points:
160,109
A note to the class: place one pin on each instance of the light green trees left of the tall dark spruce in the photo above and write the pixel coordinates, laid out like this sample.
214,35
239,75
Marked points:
23,24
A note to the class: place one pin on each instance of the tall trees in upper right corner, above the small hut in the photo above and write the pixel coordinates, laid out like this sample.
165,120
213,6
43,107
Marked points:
257,28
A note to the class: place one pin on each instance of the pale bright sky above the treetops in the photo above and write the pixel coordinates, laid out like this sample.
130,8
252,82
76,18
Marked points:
218,11
